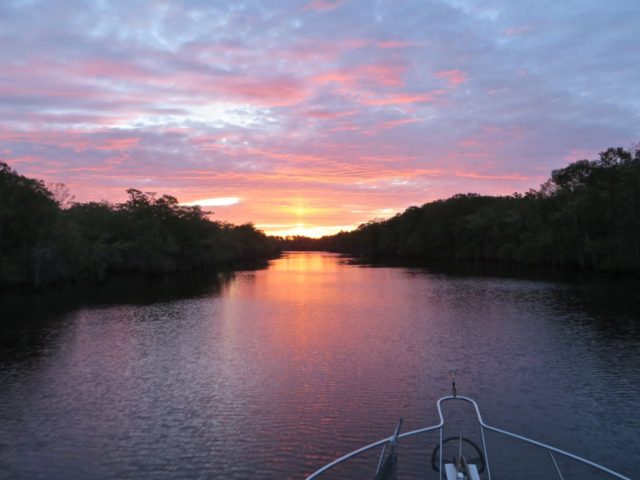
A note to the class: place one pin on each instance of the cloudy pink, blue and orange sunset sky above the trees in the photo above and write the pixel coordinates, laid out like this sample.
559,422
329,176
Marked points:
310,117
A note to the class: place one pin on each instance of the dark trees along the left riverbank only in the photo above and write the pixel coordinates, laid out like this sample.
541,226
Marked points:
44,238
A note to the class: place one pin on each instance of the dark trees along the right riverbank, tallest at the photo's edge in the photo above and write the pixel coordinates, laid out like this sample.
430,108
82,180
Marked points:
585,216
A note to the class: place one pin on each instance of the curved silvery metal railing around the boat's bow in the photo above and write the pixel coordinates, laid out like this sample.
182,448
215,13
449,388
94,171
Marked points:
483,426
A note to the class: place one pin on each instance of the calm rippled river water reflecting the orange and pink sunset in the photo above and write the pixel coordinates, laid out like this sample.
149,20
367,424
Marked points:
269,373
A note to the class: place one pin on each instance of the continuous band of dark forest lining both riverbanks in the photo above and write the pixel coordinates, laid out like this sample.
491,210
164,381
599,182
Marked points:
585,216
